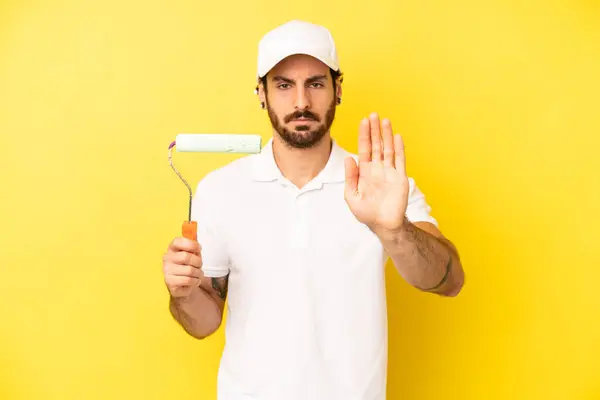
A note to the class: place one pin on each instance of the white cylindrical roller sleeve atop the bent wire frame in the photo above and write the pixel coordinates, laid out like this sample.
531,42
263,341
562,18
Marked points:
218,142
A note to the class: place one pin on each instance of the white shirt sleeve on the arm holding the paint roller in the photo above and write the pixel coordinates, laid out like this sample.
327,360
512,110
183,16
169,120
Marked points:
205,211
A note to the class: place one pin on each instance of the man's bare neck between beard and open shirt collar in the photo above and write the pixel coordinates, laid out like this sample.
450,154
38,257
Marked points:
300,166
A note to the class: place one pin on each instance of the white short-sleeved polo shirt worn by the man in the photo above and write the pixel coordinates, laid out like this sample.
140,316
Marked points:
306,304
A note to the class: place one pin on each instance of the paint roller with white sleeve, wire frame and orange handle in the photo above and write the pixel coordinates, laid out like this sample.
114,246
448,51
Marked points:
210,143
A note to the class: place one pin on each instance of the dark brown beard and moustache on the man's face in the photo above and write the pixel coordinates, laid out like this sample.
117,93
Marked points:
302,137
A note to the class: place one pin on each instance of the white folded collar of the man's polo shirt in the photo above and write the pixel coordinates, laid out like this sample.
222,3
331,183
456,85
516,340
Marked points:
265,168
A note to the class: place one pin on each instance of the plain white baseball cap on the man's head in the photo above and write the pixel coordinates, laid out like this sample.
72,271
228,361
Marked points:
296,37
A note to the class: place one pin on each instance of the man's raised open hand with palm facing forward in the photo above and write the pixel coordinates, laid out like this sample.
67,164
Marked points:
377,188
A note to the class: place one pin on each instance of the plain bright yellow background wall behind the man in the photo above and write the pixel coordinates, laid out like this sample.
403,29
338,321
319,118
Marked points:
498,103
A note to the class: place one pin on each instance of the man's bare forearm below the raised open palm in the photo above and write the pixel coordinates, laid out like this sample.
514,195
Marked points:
425,261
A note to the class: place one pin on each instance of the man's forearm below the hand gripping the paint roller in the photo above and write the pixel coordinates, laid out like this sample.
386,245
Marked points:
199,313
